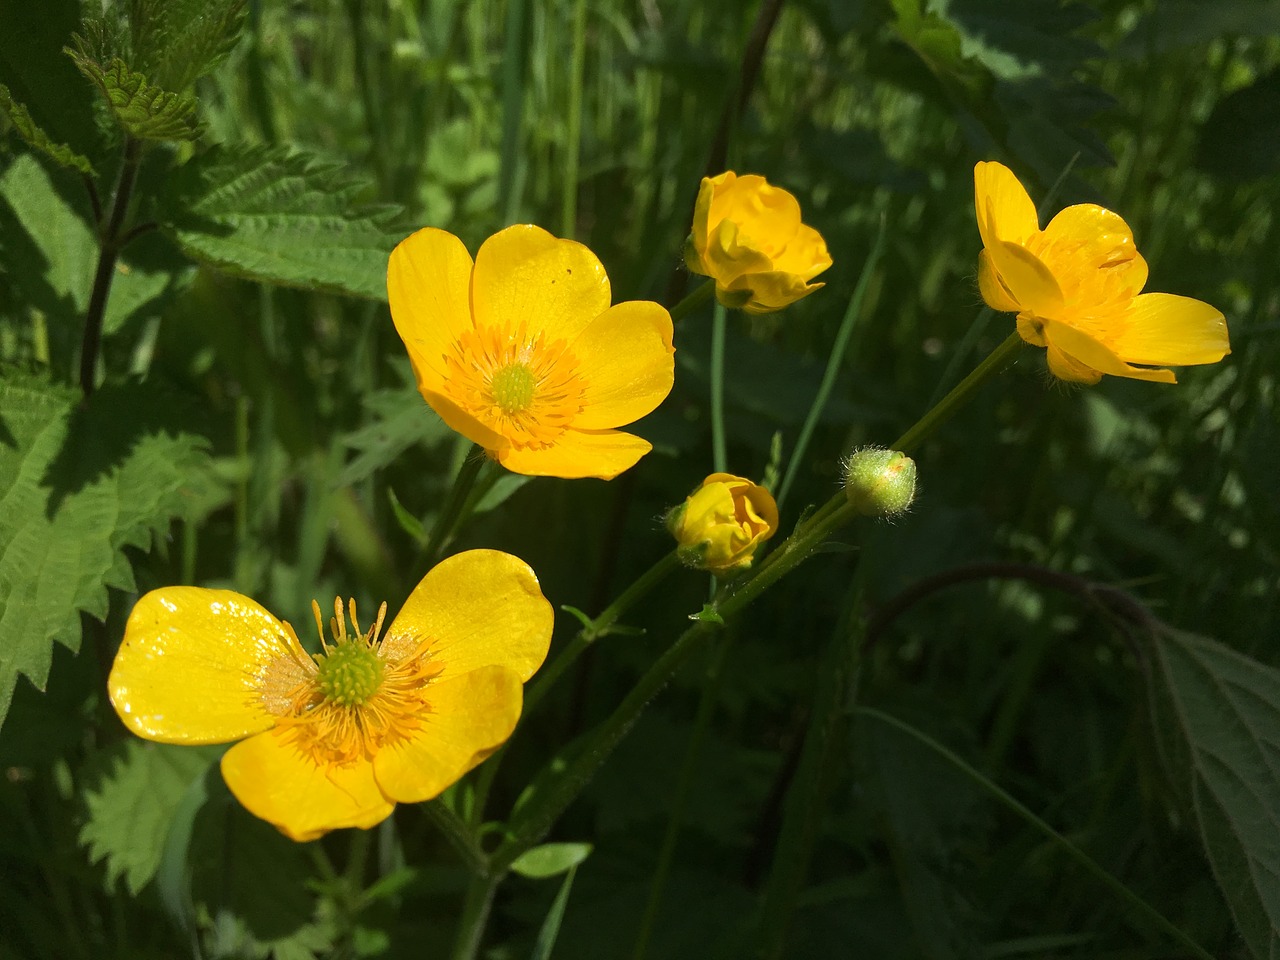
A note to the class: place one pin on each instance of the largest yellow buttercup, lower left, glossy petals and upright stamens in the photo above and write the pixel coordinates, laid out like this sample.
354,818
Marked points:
339,739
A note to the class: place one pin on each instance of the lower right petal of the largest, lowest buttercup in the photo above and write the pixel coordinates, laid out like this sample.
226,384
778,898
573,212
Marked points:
470,717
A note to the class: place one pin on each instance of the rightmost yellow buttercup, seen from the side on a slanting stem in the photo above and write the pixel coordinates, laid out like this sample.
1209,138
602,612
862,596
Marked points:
1077,290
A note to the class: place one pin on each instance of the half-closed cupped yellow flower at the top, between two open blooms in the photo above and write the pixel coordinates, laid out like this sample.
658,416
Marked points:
748,237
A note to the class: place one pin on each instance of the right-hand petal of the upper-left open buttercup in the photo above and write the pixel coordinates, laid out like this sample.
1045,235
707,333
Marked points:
628,359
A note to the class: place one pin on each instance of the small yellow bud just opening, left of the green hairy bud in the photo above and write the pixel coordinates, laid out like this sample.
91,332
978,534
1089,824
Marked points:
724,523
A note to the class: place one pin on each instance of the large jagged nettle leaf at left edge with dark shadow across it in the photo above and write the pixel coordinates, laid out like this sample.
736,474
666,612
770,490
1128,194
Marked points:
79,484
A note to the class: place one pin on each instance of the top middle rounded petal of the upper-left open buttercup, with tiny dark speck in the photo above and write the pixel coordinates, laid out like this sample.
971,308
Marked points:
525,276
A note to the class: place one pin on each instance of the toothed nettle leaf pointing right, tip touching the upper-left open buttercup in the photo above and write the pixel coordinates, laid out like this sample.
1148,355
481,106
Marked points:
281,217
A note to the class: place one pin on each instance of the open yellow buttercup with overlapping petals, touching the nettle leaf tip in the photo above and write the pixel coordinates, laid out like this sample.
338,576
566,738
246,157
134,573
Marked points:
523,354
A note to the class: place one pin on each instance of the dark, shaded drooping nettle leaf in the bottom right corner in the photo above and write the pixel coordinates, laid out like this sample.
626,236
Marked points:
1224,712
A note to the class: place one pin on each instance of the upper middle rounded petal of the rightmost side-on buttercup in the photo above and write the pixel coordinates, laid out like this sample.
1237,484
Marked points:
1091,249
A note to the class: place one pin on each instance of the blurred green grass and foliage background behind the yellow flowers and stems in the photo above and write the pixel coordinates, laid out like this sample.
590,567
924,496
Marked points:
278,428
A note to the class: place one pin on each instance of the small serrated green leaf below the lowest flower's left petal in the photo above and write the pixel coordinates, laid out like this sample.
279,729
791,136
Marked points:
131,810
